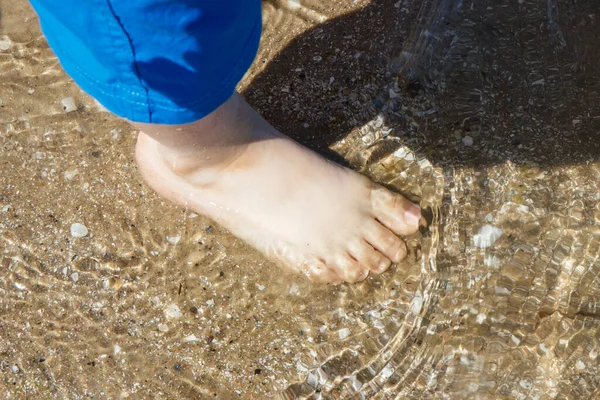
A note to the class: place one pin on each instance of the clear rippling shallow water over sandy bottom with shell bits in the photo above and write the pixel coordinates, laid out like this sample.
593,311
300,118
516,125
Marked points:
485,112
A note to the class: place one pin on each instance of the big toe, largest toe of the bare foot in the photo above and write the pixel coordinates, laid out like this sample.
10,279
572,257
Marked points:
396,212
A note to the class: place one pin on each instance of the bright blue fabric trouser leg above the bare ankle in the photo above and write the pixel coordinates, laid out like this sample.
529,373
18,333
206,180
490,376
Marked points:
154,61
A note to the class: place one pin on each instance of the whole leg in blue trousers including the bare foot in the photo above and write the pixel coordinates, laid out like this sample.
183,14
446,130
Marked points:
201,145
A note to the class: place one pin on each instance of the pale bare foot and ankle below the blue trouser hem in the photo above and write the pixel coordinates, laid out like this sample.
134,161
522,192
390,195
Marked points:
299,209
